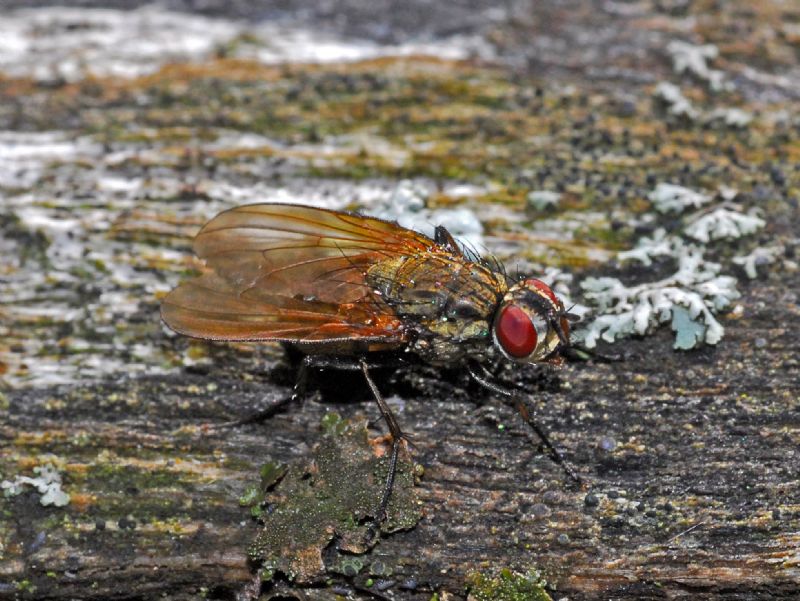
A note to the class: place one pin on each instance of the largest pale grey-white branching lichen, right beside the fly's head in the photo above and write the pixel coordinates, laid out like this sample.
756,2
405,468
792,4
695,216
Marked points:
687,299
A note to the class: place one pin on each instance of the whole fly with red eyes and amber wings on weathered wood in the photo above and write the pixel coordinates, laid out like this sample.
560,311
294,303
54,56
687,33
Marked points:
346,289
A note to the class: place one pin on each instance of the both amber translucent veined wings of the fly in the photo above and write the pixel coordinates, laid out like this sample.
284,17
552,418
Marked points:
290,273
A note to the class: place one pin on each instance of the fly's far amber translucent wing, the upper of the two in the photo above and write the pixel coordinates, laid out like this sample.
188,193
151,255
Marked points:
294,250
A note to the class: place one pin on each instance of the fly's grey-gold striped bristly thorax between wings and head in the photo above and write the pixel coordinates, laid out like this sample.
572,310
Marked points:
447,303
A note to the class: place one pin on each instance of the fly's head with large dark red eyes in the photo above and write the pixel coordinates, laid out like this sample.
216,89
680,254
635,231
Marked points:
530,324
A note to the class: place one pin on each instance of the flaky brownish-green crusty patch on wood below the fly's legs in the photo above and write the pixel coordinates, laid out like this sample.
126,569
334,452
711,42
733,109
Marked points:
322,512
